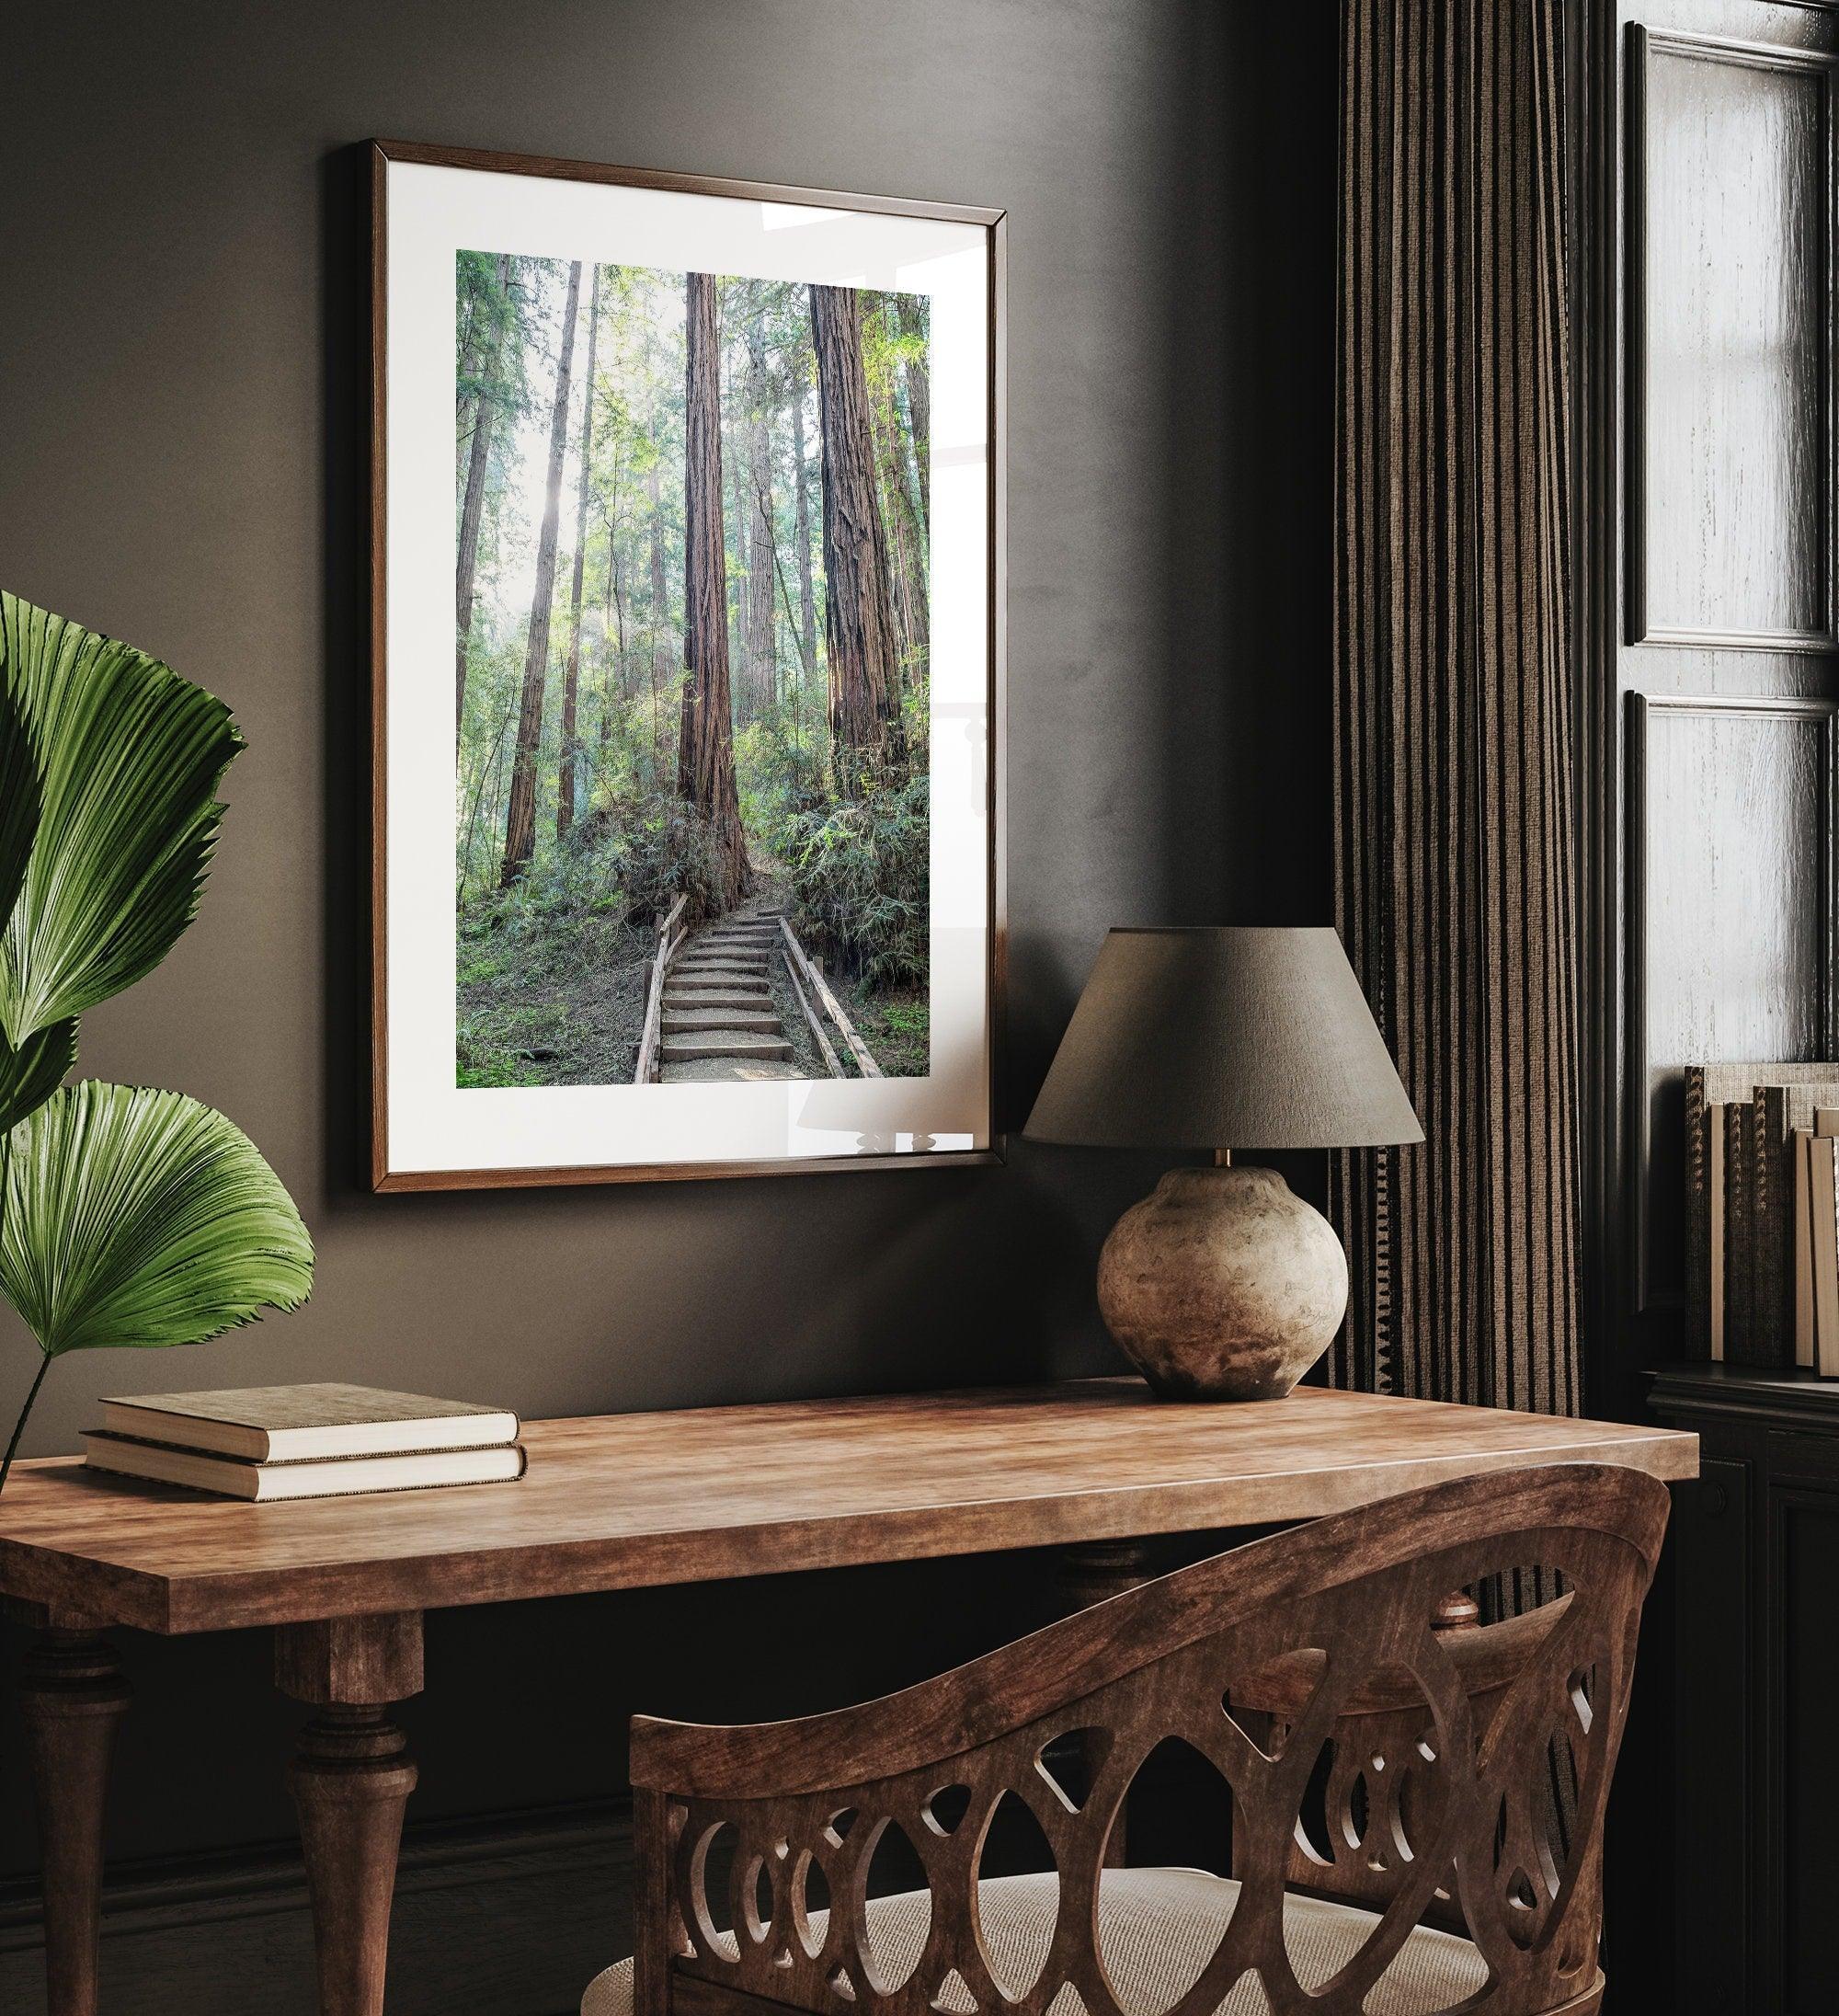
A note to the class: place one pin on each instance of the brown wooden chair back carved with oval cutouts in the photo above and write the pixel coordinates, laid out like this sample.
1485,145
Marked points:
1304,1668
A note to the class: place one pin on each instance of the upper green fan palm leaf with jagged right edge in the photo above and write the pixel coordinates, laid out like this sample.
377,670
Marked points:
128,759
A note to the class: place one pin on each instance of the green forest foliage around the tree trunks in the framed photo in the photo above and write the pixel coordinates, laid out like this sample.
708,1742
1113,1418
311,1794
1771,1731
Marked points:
846,854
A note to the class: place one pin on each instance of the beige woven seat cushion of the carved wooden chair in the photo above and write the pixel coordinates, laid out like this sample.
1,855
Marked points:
1156,1932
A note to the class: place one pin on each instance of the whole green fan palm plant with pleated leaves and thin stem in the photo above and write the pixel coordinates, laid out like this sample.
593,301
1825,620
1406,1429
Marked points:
128,1217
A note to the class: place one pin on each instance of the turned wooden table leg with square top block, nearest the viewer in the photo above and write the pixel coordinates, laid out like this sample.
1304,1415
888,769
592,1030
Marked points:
352,1779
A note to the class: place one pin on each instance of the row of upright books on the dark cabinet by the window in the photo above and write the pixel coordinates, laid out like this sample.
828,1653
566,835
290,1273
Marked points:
1763,1215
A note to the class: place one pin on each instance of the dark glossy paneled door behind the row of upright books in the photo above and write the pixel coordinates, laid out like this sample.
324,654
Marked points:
1719,634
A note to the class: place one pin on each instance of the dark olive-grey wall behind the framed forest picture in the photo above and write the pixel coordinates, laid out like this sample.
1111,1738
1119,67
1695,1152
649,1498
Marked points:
182,366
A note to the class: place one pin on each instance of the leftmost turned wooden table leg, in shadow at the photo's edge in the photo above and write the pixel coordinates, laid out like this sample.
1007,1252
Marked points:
72,1698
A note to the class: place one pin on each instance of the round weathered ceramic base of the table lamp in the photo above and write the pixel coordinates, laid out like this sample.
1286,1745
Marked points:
1223,1285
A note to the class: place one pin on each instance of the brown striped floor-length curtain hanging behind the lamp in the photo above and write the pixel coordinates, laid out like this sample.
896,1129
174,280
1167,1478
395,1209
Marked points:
1455,840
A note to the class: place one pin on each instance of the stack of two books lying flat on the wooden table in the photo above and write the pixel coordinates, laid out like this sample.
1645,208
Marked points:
305,1442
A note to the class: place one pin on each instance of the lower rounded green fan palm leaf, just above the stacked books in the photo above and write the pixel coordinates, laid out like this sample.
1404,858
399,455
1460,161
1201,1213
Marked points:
142,1219
